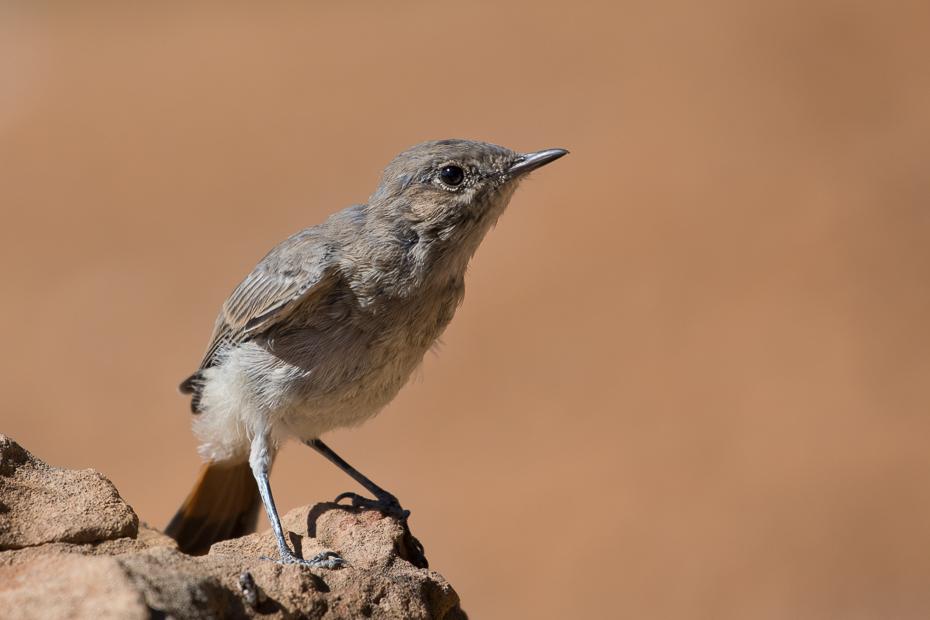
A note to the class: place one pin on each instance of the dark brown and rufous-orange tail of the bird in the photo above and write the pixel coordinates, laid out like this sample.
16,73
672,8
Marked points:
223,504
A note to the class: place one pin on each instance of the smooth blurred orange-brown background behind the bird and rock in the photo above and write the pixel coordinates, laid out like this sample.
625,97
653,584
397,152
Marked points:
691,376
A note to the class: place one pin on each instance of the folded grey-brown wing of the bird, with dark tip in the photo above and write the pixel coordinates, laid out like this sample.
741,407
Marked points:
297,268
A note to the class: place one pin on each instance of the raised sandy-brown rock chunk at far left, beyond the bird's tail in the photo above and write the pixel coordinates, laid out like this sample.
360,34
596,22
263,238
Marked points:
41,504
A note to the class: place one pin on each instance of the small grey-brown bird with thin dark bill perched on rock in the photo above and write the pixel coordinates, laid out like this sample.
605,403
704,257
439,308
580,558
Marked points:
331,324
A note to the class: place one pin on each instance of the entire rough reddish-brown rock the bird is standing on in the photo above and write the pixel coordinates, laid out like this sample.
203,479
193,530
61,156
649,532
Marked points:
74,549
